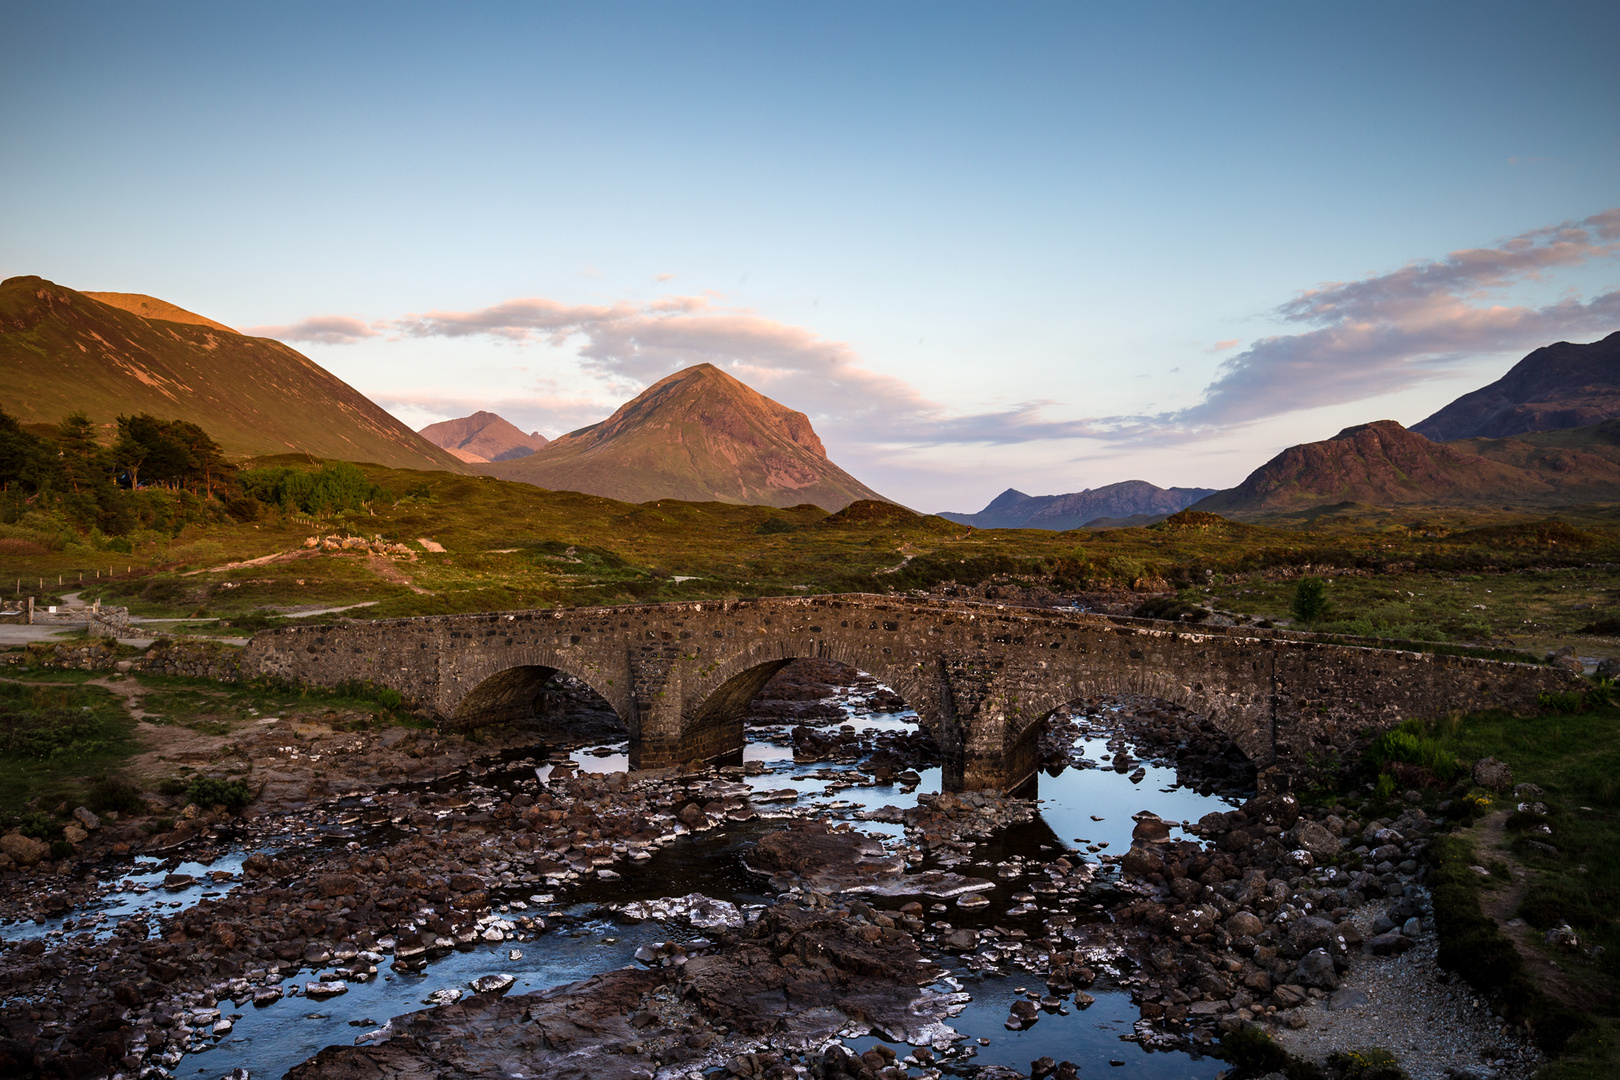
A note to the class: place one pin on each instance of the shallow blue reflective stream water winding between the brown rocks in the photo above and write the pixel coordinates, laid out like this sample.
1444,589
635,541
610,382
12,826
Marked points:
1083,810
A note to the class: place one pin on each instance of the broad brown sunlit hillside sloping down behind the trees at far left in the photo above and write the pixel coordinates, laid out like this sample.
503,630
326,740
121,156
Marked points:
64,352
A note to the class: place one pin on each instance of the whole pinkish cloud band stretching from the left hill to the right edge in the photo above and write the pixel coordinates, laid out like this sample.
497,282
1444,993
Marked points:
1358,341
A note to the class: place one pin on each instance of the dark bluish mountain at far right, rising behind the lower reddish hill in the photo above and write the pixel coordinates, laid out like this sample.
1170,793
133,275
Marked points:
1558,386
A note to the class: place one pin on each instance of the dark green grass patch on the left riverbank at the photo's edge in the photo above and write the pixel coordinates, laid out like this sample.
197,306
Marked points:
51,738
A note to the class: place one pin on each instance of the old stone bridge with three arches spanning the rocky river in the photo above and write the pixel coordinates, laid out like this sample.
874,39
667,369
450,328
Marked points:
983,678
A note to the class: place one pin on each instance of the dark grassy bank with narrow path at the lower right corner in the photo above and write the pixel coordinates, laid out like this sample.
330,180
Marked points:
1525,867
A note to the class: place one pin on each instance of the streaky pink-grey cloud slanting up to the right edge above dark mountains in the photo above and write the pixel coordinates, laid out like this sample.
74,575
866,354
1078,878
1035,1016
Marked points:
1392,331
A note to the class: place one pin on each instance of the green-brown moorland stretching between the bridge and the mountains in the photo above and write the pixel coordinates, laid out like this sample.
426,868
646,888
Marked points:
1486,577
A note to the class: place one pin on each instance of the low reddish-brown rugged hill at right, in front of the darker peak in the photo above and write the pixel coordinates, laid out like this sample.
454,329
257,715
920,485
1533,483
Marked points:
1386,466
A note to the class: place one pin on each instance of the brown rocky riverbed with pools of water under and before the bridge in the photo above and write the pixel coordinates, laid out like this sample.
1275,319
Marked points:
821,911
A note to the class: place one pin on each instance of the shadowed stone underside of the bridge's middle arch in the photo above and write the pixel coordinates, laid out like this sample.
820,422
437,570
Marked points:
712,723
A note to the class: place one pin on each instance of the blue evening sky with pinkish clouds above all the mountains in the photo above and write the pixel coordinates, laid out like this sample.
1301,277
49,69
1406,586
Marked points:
1046,245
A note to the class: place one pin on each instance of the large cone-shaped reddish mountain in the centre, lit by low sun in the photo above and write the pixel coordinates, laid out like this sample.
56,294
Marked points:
699,436
